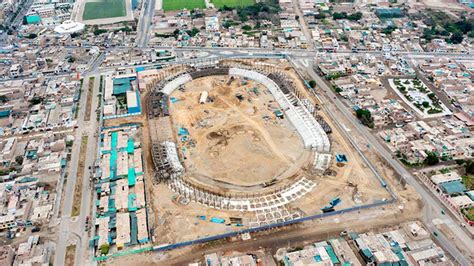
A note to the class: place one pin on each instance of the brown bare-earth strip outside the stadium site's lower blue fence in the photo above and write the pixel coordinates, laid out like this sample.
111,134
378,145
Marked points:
310,232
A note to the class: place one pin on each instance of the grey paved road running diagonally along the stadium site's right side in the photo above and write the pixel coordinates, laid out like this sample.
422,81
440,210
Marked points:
429,200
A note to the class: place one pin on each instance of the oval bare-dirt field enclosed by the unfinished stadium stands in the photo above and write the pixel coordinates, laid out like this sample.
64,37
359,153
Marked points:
235,142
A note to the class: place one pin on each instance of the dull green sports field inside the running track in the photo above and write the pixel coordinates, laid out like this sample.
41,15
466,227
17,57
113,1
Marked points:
98,9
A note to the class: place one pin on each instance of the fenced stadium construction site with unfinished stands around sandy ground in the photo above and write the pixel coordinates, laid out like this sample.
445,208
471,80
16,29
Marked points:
239,144
